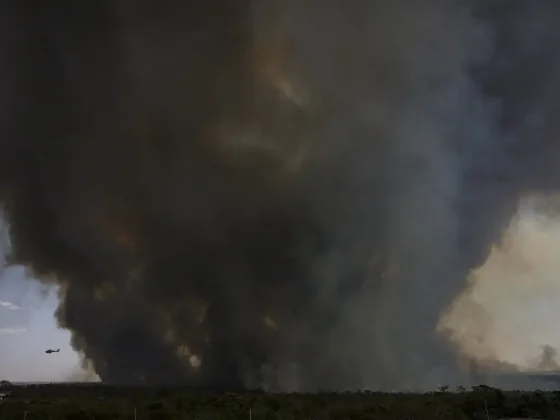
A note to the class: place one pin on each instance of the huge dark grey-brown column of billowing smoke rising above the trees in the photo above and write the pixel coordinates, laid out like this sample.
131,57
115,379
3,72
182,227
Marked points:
236,193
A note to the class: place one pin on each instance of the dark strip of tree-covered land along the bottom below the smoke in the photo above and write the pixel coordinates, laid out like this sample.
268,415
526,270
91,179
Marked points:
102,402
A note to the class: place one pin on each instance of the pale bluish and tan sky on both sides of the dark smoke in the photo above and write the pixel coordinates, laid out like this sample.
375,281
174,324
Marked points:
508,311
